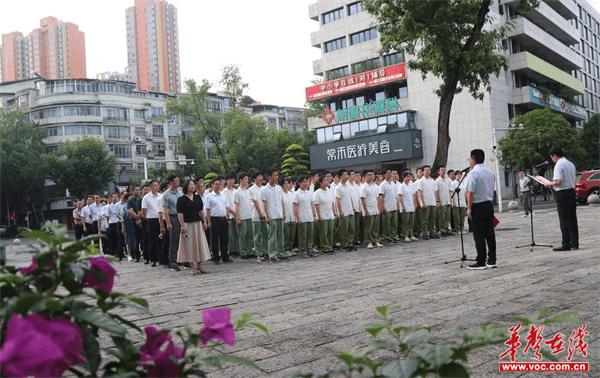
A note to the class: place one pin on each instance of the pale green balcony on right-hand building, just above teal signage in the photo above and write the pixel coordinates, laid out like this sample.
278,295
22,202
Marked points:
541,71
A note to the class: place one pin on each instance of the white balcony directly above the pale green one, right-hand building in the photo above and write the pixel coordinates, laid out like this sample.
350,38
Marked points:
532,38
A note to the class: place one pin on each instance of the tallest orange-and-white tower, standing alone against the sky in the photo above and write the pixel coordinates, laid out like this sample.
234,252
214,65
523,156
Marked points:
153,46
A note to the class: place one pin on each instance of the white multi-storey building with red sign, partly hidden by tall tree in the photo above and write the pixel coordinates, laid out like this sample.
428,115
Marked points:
378,112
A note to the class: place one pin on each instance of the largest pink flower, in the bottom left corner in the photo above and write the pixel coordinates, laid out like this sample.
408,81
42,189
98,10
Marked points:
36,346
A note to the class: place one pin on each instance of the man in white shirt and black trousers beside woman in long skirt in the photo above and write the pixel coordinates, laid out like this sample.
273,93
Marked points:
217,208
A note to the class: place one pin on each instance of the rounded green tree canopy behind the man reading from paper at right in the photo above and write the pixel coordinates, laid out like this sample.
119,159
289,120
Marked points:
542,129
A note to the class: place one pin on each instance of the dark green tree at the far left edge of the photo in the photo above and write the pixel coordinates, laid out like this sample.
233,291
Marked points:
22,169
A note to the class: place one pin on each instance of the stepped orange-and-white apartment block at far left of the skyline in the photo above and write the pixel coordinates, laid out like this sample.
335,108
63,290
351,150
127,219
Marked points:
55,50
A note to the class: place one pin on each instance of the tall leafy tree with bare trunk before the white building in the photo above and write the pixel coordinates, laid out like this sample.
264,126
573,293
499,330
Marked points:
454,40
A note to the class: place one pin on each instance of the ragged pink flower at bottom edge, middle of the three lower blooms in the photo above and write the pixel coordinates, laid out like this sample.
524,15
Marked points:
159,354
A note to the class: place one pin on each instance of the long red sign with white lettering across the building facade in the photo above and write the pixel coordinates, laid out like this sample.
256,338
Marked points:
356,82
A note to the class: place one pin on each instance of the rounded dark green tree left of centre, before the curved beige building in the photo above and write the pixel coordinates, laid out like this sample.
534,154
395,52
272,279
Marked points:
84,166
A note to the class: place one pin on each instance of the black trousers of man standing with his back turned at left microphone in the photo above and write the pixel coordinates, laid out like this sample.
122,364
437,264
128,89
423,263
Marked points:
483,231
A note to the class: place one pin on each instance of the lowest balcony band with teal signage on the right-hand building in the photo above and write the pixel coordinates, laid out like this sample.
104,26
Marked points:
531,97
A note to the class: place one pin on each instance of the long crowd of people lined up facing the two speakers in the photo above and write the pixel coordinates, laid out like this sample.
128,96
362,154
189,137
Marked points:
272,218
